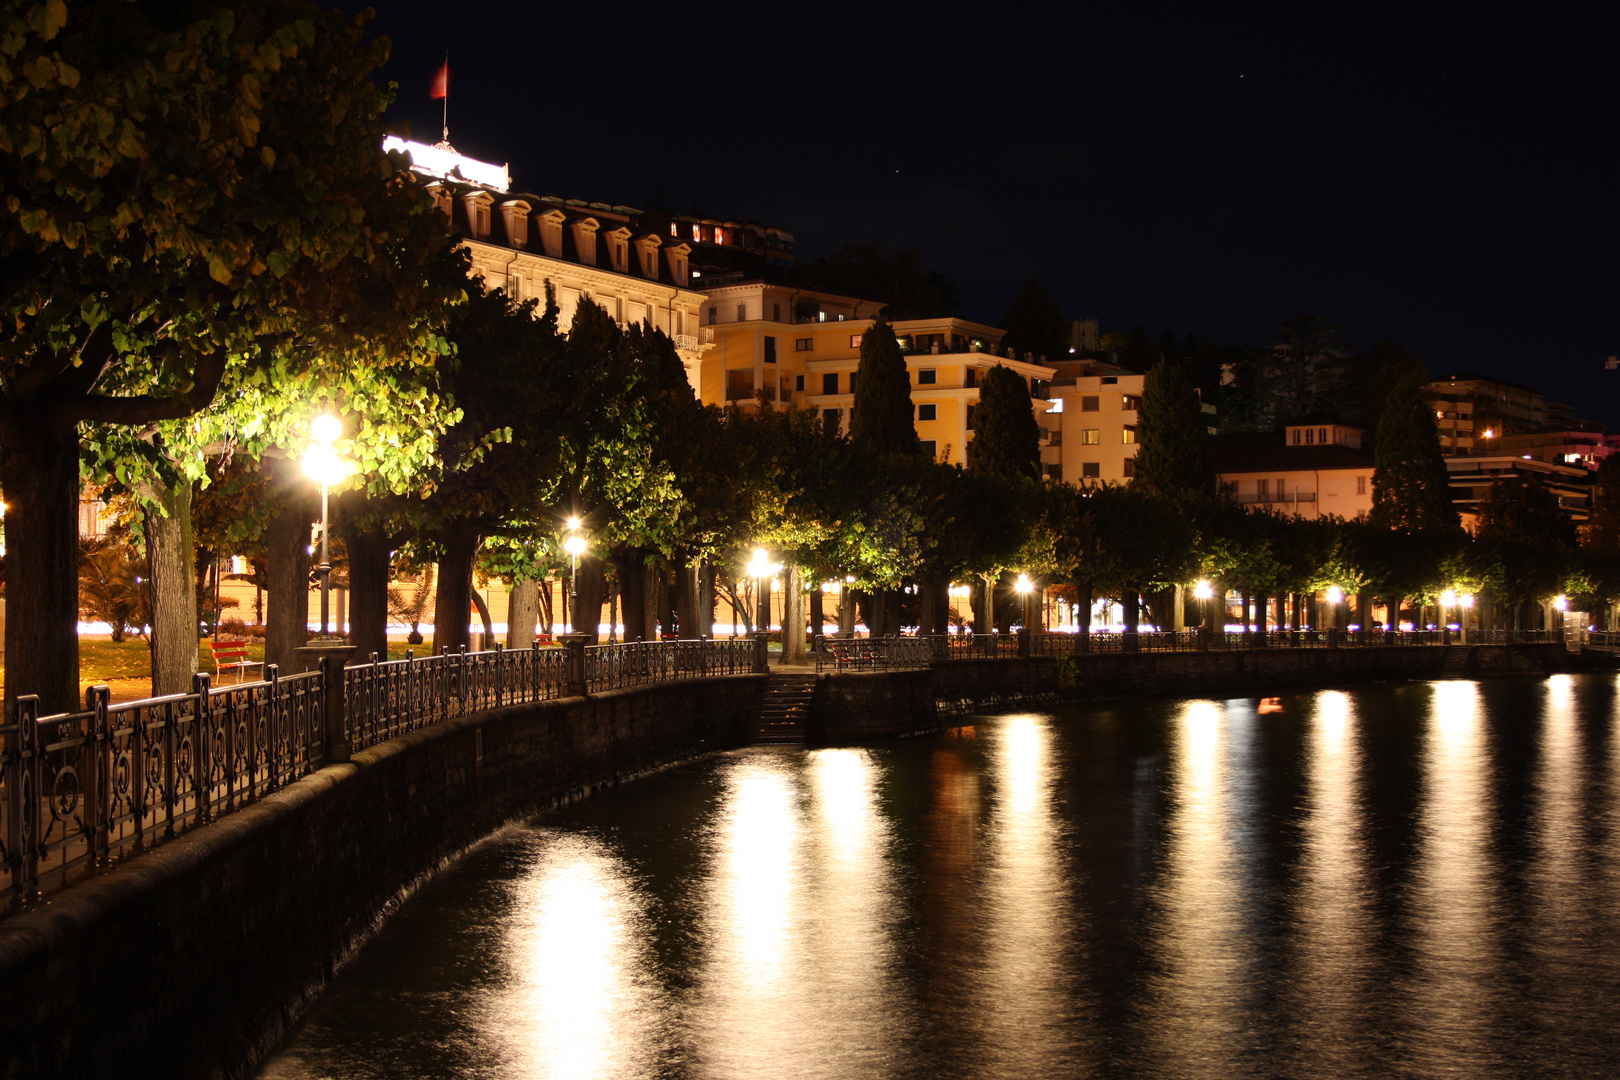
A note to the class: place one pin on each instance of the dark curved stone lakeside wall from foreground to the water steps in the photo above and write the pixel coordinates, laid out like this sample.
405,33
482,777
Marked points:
197,958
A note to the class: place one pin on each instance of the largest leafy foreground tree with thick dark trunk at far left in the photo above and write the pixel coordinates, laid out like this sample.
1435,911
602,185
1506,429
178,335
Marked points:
189,189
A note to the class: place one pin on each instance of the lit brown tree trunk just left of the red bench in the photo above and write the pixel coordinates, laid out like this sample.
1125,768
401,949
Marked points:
171,563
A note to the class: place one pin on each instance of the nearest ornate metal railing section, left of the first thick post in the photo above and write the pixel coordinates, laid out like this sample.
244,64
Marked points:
80,789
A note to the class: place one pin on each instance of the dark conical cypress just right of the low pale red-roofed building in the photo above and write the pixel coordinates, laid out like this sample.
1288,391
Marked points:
1412,490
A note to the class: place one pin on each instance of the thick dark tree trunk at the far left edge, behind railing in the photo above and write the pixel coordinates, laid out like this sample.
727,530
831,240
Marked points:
40,470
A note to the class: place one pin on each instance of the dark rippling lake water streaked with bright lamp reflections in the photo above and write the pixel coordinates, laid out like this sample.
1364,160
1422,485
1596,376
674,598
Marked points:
1396,882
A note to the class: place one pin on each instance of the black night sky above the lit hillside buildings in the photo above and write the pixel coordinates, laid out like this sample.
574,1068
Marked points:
1439,179
